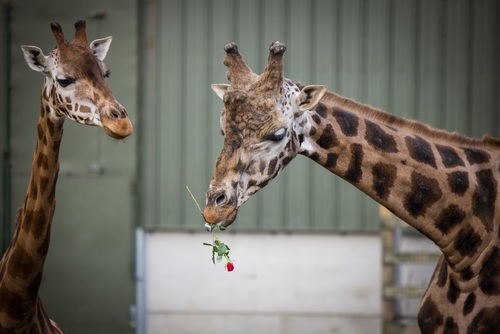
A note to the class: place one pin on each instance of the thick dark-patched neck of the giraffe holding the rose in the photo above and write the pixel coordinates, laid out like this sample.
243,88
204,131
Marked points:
442,184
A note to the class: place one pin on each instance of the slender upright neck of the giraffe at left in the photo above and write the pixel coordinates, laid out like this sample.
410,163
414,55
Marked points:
21,267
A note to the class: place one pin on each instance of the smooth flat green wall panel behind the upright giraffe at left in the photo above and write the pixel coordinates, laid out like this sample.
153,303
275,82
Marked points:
88,280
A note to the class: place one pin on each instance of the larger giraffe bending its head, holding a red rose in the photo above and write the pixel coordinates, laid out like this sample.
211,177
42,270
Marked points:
443,184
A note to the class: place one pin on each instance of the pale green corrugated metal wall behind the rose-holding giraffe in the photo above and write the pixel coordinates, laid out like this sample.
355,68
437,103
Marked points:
434,61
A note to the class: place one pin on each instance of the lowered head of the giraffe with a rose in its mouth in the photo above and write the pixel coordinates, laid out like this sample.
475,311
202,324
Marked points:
259,123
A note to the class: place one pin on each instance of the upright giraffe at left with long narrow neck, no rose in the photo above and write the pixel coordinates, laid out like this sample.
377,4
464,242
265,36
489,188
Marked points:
74,88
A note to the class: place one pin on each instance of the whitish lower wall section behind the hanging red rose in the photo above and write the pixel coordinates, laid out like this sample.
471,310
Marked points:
282,283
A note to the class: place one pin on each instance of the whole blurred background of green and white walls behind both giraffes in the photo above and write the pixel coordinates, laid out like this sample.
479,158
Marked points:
312,254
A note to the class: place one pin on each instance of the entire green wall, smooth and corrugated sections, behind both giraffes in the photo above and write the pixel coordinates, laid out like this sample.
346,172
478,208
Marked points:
435,61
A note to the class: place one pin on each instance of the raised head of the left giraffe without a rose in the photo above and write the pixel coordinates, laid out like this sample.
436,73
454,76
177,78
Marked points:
74,82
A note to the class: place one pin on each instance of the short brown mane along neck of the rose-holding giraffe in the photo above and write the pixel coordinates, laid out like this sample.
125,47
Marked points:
439,135
